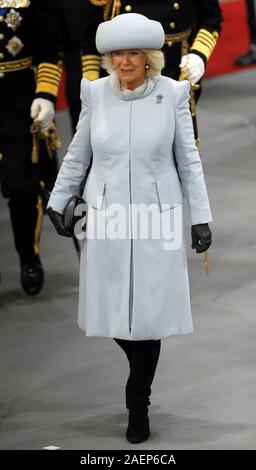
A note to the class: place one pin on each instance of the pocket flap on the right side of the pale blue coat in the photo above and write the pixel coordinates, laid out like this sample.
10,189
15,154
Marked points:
168,191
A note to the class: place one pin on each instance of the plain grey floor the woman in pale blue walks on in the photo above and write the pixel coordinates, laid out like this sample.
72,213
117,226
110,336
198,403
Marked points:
60,388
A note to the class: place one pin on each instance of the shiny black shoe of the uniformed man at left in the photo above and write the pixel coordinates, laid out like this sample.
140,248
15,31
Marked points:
32,276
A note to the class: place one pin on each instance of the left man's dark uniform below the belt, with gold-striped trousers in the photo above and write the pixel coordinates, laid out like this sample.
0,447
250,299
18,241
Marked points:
19,177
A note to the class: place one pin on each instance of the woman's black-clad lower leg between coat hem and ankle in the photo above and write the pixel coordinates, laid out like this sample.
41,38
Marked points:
143,358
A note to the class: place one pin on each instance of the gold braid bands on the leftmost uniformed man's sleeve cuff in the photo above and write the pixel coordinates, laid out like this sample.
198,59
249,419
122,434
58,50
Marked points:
48,77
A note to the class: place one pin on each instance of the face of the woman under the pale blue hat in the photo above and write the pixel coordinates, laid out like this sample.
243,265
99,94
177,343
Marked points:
130,67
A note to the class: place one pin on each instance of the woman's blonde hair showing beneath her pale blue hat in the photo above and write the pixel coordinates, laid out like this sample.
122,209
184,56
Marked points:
154,60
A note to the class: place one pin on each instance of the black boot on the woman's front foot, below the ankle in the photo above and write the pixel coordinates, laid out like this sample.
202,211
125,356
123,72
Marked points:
138,427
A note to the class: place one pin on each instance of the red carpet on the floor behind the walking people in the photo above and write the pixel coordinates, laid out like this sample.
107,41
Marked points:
234,40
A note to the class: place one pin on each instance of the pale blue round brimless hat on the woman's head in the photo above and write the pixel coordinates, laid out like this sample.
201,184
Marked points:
129,31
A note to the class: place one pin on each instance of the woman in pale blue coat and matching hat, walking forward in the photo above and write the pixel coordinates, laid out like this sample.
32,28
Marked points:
134,287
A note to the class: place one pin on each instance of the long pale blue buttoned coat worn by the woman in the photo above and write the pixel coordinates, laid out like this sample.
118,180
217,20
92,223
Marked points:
133,288
